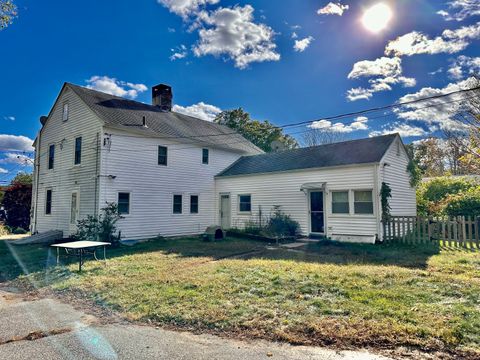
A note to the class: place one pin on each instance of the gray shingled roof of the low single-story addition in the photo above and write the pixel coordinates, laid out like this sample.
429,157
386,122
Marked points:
361,151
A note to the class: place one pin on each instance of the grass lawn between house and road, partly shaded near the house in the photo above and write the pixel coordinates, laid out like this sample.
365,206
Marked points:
337,294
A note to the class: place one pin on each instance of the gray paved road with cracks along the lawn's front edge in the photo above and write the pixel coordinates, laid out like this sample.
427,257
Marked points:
49,329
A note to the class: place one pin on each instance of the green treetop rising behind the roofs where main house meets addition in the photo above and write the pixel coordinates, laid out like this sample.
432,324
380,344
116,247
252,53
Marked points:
260,133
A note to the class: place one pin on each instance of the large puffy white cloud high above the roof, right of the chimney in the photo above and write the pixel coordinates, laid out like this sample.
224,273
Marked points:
232,32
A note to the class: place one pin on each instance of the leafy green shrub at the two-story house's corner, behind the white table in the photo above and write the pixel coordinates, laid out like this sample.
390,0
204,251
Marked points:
100,228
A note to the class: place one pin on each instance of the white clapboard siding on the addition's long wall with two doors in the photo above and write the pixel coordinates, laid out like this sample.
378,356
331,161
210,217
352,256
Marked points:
283,189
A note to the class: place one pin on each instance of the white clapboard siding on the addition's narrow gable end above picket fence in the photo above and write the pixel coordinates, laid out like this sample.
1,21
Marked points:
394,172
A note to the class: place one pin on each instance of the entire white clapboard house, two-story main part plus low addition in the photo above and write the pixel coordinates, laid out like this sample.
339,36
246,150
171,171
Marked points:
175,175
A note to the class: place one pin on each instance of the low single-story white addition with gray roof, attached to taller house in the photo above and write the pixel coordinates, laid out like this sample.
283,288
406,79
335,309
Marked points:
331,190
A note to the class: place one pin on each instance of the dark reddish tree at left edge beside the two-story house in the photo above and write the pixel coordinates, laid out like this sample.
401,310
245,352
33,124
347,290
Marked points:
17,201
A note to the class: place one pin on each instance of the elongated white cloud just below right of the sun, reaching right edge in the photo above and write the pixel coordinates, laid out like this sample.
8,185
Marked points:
451,41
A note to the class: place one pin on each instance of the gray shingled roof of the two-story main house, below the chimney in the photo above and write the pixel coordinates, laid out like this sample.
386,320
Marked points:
128,115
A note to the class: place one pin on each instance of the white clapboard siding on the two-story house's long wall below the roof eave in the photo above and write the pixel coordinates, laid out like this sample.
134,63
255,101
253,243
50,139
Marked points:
133,161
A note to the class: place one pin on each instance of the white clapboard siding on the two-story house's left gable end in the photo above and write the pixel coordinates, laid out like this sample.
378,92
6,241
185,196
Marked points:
66,177
